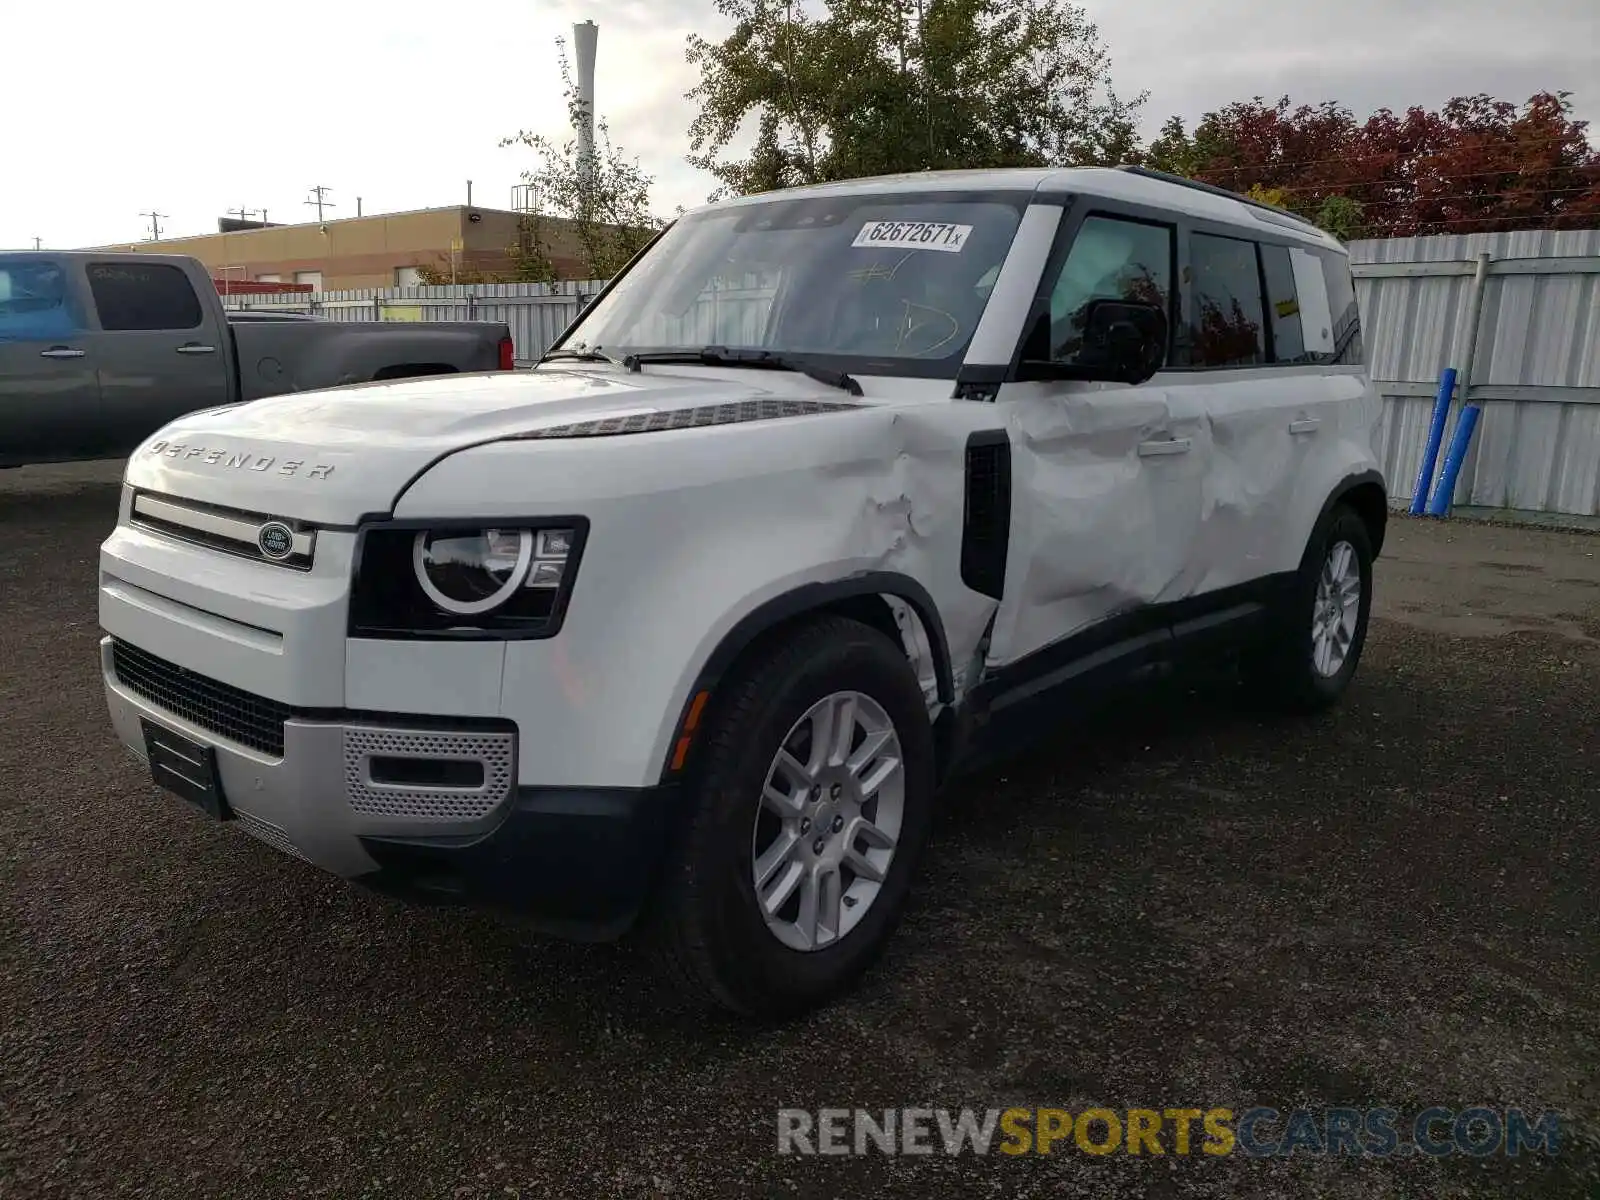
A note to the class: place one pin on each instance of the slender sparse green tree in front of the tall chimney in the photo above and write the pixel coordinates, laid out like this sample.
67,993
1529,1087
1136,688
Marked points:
601,207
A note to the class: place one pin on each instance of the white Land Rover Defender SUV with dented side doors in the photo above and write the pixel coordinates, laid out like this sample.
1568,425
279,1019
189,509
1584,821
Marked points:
828,494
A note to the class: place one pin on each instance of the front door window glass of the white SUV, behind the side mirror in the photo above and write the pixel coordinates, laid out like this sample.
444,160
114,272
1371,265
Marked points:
1110,260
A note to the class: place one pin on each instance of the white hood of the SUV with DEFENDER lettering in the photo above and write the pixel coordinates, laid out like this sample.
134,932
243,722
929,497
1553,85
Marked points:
338,455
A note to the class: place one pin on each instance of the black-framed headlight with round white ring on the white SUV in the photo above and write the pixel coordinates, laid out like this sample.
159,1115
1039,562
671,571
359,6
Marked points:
460,580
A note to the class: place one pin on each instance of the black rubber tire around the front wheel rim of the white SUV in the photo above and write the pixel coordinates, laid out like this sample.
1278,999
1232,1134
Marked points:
706,927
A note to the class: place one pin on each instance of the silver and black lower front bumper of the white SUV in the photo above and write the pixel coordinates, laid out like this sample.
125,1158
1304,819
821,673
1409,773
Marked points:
378,799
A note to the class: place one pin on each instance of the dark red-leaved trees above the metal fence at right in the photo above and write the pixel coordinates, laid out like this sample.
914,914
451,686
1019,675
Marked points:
1476,166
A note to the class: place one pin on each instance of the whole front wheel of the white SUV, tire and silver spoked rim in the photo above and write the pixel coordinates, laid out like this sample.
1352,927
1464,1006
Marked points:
809,814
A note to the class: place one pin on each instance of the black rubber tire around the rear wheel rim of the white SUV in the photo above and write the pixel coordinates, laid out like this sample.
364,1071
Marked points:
1282,673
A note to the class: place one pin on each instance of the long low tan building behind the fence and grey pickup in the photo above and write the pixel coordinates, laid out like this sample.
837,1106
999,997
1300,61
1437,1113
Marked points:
369,252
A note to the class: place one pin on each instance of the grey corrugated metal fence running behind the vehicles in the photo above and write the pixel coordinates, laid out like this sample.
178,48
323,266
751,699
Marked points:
1537,372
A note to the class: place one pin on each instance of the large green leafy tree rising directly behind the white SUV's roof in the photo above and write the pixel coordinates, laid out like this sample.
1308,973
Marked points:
847,89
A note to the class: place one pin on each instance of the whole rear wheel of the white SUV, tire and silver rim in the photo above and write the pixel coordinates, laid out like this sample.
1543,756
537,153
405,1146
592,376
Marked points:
1318,639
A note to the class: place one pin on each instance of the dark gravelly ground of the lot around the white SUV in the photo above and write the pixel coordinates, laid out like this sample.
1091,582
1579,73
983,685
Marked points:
1183,906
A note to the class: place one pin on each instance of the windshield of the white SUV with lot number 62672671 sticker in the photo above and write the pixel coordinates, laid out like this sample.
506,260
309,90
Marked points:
887,284
